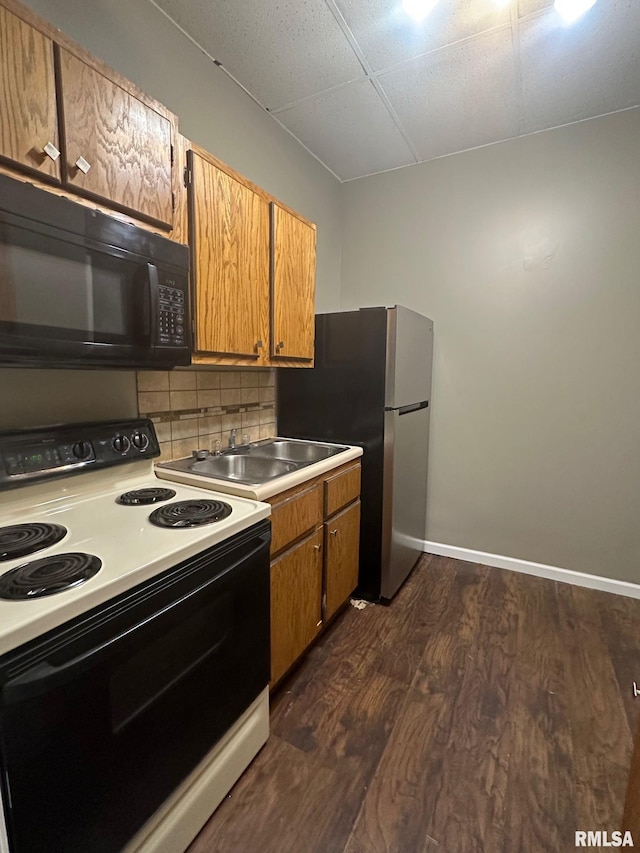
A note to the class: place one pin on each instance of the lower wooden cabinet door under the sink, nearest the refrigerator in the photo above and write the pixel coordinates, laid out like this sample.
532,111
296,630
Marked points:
342,541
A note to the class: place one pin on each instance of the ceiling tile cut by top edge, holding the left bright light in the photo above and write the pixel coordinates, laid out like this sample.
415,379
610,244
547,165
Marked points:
387,35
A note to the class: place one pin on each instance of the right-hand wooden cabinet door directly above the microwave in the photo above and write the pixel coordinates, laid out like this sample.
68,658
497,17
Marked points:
117,148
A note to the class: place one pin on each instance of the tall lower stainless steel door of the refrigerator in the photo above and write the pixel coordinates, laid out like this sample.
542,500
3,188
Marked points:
406,444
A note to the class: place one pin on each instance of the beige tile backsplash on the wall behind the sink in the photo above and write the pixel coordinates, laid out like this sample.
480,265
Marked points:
195,407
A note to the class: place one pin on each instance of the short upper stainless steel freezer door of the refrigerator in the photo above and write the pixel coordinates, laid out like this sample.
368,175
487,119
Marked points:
409,357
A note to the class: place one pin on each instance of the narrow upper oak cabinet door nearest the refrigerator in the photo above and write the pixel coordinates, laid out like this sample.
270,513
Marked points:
293,282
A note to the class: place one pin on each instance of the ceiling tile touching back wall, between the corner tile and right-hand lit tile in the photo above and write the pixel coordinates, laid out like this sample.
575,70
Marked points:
458,98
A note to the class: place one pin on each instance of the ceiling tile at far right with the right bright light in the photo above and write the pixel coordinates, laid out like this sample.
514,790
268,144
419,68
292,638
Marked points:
583,70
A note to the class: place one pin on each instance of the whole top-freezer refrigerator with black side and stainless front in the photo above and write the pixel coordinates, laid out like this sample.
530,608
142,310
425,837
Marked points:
371,386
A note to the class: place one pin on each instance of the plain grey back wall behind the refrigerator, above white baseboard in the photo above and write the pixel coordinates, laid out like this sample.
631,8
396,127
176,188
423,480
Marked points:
527,256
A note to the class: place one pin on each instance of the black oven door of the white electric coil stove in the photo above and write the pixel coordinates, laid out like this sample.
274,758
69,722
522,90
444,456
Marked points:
101,719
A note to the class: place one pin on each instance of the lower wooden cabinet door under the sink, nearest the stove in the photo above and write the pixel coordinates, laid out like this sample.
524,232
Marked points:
296,592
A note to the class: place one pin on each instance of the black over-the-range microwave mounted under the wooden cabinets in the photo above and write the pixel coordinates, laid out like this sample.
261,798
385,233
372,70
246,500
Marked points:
79,288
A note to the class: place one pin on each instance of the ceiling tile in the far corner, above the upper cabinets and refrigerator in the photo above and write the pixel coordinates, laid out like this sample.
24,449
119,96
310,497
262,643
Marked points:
350,130
